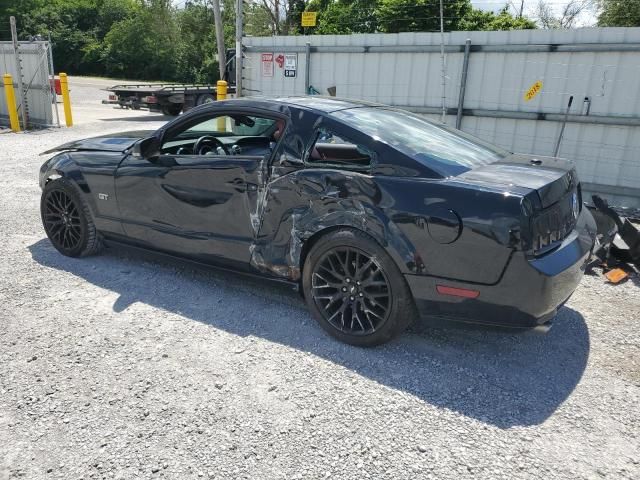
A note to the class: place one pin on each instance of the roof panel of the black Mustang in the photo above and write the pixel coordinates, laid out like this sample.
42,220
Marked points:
317,103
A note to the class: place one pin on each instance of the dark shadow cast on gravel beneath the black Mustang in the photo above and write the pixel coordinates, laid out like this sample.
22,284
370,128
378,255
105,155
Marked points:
500,377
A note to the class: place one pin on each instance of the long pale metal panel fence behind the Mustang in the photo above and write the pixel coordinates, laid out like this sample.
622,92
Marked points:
404,69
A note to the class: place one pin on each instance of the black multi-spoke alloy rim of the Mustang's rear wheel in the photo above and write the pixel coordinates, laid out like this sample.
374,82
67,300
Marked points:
351,290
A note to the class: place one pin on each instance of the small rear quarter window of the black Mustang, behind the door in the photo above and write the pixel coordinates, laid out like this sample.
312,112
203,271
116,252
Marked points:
331,149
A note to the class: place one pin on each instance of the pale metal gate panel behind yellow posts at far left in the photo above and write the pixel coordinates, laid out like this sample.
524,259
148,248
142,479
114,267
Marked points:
29,65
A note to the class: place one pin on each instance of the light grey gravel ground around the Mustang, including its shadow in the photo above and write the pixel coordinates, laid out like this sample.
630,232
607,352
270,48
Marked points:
118,366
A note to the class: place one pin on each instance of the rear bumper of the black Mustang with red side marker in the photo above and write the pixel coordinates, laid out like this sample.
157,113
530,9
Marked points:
528,294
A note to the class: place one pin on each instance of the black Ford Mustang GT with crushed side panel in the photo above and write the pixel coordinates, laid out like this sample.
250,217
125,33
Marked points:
375,212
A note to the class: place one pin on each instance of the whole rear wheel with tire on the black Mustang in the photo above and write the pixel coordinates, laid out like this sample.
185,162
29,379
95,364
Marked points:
375,309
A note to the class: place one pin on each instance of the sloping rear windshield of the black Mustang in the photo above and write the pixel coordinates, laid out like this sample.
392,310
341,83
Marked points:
444,149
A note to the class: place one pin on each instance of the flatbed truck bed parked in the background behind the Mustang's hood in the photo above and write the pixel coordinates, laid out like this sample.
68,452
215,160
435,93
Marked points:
168,98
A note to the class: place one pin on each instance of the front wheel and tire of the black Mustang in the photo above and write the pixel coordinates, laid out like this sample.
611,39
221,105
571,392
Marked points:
67,220
